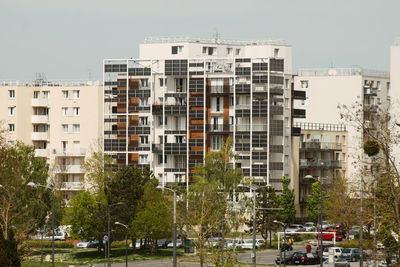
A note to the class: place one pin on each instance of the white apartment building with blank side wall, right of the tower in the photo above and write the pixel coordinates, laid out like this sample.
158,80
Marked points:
329,88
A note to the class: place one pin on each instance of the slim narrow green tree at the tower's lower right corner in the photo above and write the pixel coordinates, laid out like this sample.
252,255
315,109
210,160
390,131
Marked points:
286,200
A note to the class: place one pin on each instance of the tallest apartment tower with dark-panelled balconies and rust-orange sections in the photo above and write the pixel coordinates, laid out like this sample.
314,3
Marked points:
182,98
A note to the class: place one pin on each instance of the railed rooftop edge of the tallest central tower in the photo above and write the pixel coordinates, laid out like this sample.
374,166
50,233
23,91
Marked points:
183,39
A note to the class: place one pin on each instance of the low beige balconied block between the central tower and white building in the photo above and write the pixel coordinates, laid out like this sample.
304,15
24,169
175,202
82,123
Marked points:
322,150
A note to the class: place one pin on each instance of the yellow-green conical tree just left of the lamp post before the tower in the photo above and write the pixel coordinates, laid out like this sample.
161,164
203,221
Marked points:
154,219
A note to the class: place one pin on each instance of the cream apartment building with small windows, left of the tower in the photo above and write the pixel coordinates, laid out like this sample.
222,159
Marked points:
60,119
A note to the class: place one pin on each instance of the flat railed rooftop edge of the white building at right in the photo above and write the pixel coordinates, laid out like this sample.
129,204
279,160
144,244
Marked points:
344,72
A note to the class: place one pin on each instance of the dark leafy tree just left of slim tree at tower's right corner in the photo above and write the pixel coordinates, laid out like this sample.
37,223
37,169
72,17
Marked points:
266,198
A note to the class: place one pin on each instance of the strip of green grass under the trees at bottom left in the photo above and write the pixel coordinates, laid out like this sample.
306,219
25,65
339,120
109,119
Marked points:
79,256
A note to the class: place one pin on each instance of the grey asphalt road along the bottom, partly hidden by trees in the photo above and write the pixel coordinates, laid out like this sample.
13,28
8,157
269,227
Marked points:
263,257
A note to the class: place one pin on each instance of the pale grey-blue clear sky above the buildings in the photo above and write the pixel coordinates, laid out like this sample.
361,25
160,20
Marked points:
67,39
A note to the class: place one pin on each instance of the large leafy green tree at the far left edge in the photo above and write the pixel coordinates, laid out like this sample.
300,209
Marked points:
23,209
